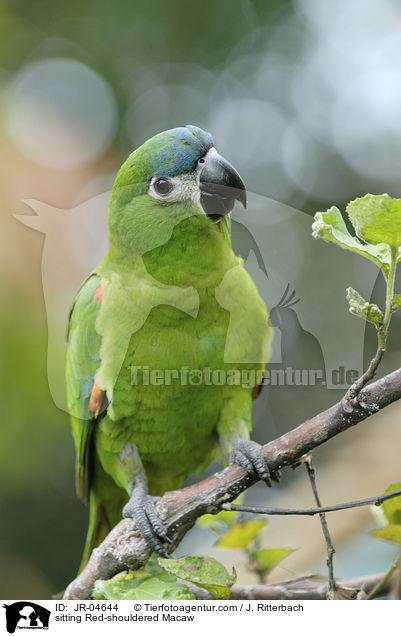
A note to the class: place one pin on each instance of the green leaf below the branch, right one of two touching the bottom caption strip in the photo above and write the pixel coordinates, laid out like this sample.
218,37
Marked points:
203,571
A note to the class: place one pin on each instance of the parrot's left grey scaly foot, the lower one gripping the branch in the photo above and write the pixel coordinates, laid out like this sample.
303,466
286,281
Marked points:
142,510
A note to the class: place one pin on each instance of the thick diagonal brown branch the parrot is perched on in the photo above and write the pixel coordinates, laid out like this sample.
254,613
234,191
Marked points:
124,548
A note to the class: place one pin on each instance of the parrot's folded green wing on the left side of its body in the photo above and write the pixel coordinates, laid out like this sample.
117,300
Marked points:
82,363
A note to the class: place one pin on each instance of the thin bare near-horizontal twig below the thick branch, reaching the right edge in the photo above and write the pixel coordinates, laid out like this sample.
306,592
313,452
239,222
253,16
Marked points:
261,510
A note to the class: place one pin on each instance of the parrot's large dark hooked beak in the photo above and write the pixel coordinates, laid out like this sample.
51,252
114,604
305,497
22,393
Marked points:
220,186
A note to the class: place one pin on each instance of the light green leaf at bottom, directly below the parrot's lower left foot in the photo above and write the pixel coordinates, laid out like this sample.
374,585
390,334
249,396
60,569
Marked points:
131,586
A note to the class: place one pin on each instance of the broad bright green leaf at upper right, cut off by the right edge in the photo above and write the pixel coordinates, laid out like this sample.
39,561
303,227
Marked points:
377,219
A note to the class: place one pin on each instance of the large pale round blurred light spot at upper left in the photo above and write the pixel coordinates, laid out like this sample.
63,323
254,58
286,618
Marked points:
60,113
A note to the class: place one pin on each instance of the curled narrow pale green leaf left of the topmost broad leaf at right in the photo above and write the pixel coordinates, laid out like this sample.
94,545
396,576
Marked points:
330,226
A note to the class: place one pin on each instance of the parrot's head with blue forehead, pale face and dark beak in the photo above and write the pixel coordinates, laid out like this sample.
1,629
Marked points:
175,175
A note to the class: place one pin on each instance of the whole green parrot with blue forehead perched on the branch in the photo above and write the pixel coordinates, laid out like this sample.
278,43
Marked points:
167,340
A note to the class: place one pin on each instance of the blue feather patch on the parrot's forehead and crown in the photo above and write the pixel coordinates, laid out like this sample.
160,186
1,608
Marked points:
176,151
